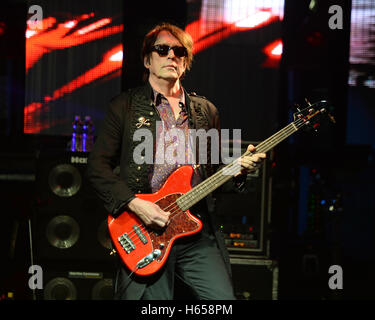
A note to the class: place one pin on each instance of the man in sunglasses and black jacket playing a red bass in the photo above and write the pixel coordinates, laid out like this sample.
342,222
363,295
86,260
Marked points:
200,260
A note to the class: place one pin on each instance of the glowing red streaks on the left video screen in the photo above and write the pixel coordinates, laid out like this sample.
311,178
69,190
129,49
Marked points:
54,36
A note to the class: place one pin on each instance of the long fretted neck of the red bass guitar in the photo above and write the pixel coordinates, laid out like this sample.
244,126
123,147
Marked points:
223,175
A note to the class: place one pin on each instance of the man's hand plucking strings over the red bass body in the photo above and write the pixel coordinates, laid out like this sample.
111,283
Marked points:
149,212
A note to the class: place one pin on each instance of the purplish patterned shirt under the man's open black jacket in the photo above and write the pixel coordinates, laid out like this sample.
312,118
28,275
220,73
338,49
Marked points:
176,150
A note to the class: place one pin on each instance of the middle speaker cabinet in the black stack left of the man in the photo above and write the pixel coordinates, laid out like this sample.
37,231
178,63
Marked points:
62,234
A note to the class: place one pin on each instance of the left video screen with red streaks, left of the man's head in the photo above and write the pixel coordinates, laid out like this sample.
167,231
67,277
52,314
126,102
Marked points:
73,63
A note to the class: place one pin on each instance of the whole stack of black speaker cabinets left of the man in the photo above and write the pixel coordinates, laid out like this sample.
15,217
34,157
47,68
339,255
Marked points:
70,236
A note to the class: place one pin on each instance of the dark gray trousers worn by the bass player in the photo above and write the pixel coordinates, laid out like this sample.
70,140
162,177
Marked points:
196,260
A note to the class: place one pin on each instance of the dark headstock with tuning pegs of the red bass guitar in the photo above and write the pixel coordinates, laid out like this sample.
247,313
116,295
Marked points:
311,116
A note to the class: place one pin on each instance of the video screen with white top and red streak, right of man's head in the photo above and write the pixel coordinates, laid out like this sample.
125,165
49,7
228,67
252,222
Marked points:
238,48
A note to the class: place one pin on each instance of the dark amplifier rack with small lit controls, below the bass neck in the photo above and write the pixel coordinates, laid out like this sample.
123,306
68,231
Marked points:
245,217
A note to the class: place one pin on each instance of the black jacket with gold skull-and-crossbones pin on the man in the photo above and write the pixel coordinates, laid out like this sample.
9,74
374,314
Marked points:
114,145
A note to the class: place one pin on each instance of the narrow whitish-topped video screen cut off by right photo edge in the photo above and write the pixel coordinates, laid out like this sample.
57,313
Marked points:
361,100
